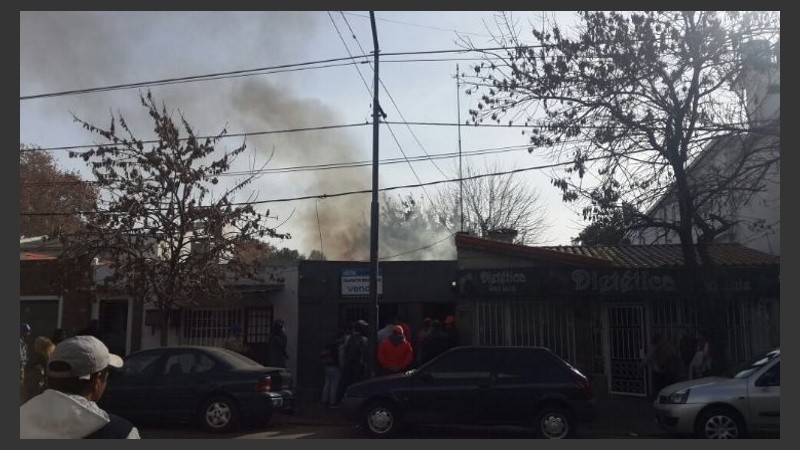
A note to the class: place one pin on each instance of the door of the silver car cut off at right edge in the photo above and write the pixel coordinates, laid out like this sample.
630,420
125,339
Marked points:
764,398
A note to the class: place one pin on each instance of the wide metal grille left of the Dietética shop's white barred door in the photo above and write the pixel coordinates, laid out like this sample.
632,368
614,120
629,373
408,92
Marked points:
547,323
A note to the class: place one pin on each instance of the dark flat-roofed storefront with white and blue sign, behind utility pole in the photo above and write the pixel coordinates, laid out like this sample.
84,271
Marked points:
333,294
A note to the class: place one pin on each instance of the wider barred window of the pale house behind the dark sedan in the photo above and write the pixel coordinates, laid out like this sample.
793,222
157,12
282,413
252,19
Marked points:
208,326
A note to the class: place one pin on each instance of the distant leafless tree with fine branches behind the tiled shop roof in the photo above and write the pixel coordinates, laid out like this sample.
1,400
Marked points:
493,200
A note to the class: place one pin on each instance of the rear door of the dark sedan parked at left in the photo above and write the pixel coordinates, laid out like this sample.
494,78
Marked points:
182,382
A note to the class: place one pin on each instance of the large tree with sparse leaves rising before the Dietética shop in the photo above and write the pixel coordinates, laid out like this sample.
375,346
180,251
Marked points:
637,100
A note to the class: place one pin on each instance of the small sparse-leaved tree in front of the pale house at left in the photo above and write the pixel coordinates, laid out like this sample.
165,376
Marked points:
171,240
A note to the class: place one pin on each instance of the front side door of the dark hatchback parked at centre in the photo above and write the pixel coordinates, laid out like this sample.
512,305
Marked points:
449,389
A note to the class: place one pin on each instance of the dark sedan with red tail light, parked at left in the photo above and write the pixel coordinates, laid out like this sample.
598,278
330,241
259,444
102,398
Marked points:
211,386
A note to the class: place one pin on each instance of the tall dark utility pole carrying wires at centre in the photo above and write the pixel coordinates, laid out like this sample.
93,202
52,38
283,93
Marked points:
373,241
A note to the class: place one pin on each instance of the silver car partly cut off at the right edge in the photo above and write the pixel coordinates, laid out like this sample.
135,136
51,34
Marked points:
746,400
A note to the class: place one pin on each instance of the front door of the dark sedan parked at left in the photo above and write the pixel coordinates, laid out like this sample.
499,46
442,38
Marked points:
129,389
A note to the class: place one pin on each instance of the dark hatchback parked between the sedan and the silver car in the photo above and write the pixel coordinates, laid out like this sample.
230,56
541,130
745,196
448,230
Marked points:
528,386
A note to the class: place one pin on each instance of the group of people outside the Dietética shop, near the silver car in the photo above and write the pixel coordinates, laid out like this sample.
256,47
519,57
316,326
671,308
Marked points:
668,364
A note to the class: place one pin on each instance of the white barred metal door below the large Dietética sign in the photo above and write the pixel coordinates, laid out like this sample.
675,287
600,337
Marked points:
627,344
